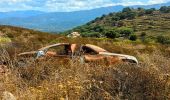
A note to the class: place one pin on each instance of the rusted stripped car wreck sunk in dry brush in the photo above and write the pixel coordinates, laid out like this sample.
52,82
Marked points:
86,53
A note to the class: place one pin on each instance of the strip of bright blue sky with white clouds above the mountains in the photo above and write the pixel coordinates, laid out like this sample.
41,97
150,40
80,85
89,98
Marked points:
68,5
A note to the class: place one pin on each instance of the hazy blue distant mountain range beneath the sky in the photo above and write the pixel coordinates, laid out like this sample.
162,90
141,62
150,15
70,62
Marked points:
58,21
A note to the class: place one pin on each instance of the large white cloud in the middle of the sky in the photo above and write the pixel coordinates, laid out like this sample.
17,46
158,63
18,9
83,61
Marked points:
71,5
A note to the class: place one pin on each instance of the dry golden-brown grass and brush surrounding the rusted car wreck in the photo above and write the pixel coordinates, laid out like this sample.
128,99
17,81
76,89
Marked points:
70,80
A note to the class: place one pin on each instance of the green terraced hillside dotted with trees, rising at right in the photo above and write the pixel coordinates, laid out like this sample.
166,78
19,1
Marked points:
151,23
